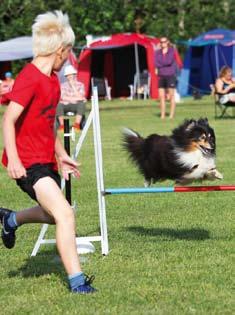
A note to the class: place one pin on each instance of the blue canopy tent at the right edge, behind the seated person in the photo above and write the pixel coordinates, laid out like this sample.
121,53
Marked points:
206,54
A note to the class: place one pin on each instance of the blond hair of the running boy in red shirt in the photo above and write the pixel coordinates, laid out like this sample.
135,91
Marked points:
51,30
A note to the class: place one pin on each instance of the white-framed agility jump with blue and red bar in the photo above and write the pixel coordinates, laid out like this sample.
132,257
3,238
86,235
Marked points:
94,120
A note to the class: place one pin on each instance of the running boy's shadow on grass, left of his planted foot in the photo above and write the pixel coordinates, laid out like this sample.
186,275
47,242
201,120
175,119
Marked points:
46,262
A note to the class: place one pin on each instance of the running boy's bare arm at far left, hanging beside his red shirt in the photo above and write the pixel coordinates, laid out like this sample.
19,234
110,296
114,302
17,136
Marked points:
14,167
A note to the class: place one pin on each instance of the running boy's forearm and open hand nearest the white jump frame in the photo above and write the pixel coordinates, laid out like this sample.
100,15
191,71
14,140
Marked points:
67,164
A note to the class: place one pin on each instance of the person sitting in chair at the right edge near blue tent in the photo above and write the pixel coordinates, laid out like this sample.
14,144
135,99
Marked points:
225,86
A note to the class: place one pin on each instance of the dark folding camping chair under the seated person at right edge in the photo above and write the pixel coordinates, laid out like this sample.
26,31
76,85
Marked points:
221,110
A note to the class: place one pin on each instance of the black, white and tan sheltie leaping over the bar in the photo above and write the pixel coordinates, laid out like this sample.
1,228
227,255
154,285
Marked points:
186,155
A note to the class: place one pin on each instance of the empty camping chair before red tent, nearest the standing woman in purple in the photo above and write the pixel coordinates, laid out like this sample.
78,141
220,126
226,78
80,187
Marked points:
141,86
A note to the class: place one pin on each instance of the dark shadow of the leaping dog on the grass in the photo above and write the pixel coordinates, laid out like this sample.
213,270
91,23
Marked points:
184,234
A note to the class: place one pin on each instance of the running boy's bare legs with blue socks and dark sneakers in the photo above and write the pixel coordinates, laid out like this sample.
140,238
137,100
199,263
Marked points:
57,210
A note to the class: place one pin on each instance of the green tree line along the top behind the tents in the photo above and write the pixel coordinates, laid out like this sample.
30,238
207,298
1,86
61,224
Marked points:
179,20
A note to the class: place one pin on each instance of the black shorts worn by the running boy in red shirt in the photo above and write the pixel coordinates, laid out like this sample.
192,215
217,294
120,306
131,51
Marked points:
34,173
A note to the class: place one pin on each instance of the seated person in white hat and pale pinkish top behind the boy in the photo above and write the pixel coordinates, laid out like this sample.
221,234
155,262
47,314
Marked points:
72,99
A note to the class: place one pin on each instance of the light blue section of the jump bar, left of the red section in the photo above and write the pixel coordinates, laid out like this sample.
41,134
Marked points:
119,191
